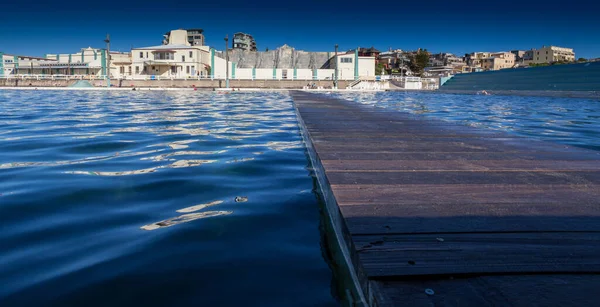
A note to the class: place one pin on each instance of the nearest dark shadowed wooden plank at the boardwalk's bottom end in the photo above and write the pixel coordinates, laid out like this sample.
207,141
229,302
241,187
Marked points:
490,290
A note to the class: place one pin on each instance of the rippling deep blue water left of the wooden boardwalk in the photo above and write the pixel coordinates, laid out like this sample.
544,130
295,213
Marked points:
157,199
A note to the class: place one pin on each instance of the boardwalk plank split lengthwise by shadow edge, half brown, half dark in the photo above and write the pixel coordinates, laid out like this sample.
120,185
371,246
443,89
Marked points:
470,217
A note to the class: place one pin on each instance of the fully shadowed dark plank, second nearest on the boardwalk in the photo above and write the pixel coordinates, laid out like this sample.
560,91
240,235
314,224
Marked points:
408,255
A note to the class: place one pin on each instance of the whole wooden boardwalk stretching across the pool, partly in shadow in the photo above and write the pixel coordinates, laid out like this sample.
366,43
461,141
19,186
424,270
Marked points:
437,214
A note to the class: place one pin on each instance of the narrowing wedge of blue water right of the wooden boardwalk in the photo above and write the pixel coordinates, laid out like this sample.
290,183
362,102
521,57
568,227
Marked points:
570,121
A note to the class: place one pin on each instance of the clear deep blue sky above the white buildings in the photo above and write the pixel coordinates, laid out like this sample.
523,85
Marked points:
40,27
